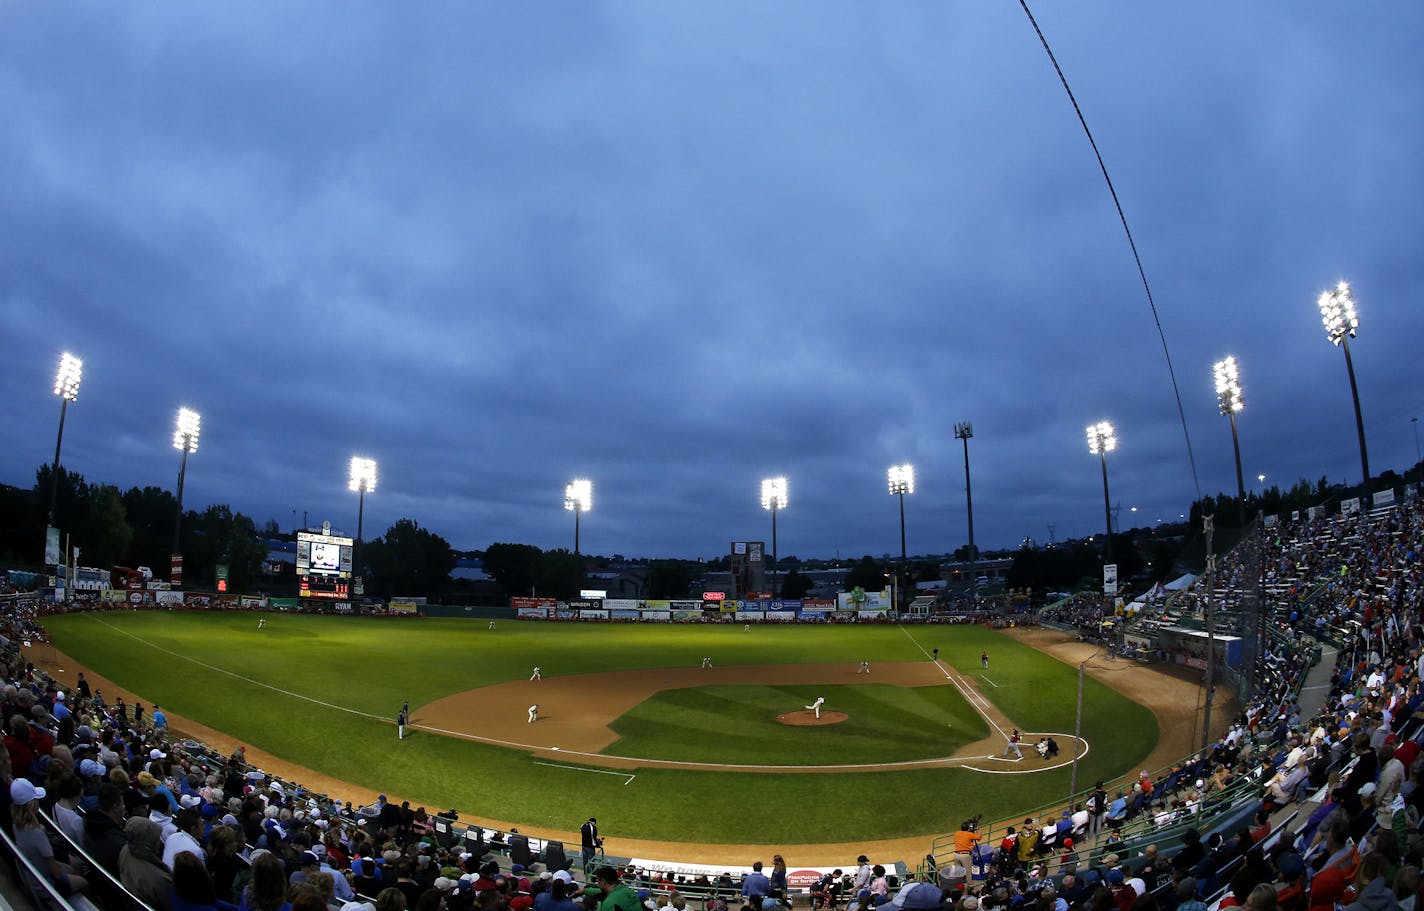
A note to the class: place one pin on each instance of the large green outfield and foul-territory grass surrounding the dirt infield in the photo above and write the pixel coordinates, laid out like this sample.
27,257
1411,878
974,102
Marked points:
267,688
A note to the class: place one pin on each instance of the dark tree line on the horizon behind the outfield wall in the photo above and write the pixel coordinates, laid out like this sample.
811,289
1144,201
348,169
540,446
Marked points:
135,529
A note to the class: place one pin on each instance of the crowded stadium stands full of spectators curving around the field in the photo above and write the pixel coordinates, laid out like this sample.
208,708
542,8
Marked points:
1308,781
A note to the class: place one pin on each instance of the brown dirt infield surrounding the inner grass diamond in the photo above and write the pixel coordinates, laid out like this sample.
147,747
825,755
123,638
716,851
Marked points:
577,714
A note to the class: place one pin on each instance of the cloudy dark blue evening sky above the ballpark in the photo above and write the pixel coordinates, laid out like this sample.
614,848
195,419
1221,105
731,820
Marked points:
683,247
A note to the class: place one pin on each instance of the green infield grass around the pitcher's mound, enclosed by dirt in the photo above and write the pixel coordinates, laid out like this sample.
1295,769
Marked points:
738,725
